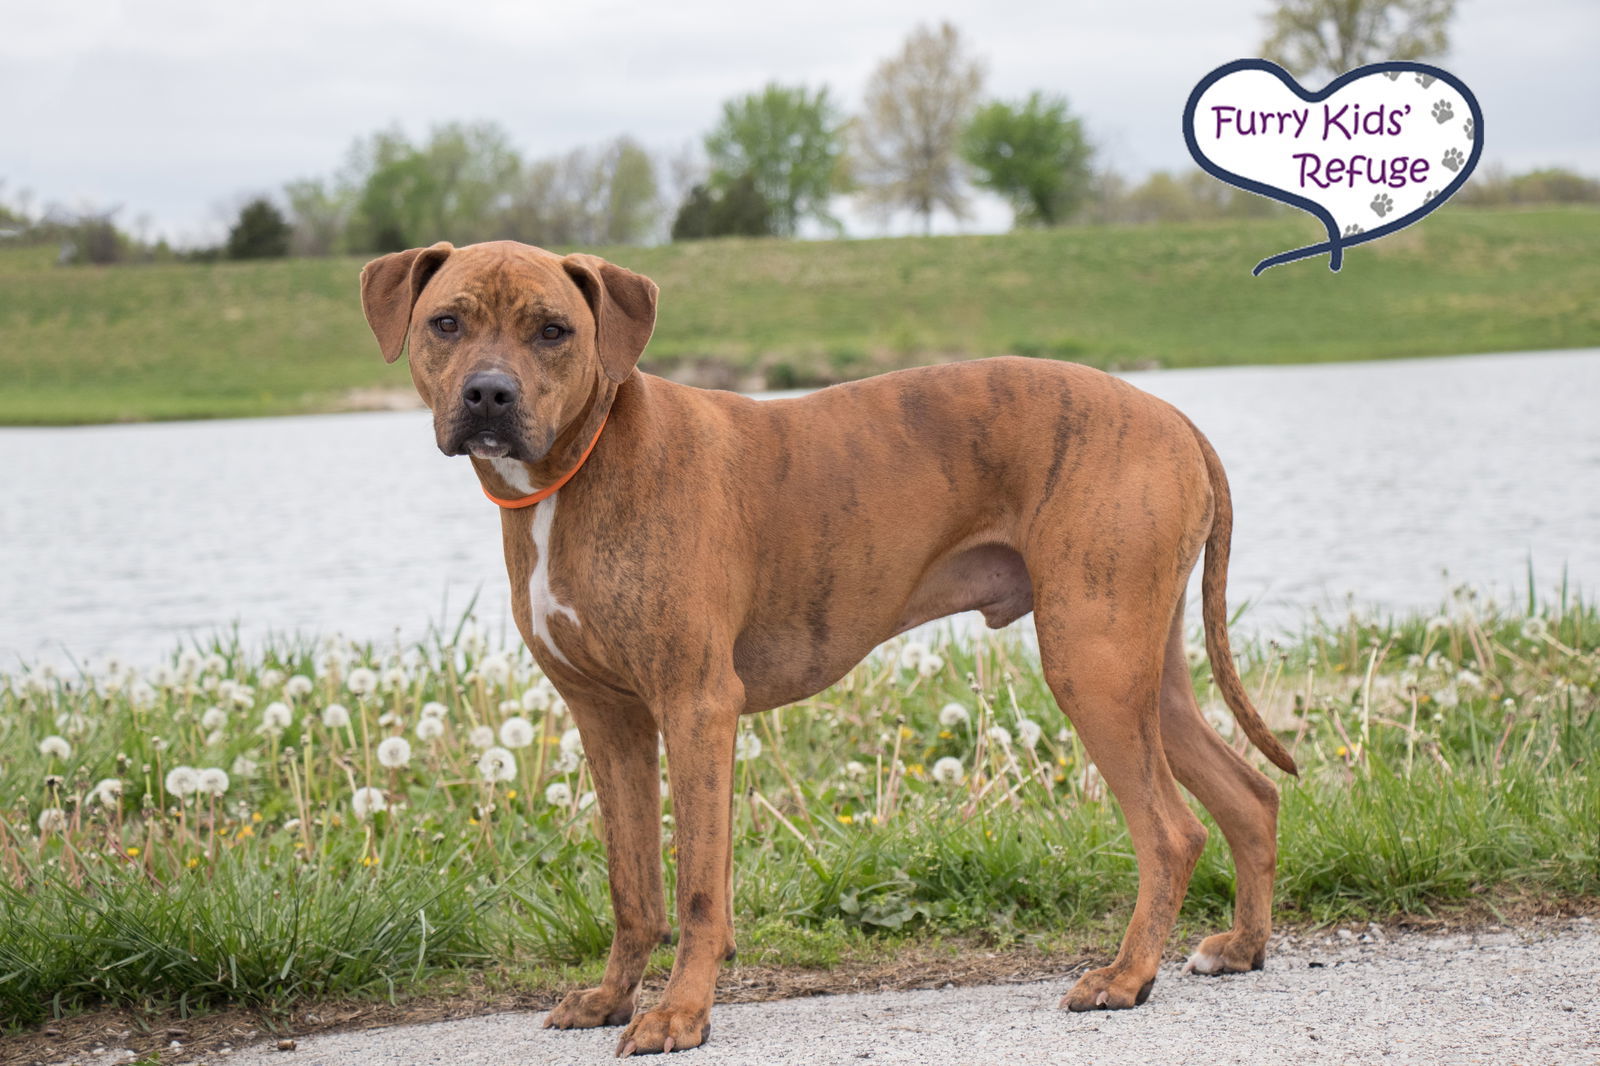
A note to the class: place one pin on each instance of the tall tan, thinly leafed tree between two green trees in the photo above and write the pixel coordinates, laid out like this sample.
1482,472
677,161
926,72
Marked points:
918,106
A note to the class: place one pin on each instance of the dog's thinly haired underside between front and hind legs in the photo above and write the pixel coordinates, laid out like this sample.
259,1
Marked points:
791,659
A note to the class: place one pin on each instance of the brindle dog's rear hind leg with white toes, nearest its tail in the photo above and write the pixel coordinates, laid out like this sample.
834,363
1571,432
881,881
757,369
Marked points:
1241,799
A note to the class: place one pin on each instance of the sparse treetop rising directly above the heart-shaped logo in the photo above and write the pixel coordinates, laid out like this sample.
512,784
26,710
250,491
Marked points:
1329,38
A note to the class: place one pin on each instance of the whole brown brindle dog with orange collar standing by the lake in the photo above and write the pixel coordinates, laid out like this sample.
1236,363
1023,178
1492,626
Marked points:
719,556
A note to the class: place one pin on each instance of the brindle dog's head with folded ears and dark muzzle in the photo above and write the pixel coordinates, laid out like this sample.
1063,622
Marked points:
510,343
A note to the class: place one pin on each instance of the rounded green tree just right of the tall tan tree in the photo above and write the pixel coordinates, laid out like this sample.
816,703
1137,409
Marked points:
1034,154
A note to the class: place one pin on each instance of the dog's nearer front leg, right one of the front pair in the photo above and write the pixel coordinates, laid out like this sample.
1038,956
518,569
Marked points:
700,732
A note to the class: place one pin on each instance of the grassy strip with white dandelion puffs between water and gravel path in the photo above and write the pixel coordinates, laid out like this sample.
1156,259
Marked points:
1444,761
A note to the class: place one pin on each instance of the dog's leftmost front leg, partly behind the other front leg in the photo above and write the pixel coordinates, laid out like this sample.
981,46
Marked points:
620,743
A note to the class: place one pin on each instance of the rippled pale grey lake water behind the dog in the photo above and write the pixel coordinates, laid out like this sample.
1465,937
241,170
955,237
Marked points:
1366,481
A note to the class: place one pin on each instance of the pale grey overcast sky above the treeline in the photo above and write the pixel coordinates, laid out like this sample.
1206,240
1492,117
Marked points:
177,108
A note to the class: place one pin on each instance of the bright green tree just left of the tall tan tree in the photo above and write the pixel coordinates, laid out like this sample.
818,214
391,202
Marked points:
791,142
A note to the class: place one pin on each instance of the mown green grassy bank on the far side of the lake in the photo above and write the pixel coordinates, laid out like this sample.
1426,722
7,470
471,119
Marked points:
268,339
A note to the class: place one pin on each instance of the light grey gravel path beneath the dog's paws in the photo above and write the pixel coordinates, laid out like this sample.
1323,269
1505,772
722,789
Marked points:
1486,998
